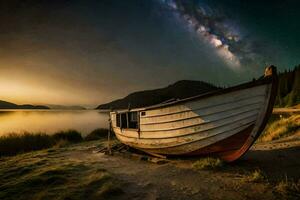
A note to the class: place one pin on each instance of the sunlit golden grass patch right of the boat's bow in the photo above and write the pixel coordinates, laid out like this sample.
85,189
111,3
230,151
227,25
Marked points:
282,127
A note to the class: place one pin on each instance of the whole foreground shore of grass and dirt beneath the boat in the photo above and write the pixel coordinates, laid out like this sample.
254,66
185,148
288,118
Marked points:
82,172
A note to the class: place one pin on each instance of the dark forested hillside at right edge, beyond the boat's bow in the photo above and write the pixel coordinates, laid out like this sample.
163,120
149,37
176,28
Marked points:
289,88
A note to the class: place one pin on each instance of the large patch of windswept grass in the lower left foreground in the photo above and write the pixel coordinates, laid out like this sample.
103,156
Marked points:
53,175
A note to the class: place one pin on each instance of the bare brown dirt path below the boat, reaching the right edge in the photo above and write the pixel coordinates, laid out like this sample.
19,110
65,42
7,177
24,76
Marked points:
178,180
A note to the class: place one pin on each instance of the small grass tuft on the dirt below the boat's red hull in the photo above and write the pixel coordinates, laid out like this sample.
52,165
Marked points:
208,163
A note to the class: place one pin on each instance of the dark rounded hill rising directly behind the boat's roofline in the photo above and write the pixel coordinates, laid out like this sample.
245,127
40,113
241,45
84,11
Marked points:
179,90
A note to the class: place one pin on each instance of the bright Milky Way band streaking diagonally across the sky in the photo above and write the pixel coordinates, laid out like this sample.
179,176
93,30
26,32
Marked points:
216,30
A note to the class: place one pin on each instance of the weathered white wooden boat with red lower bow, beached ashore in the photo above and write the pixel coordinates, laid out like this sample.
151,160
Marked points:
223,123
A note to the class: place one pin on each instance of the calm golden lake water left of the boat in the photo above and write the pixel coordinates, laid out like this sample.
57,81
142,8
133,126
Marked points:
50,121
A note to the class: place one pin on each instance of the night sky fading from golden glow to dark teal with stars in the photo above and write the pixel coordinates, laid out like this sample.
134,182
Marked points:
76,52
